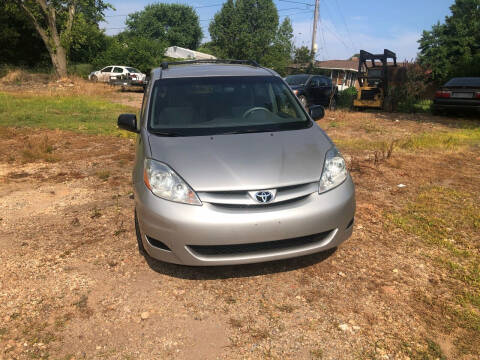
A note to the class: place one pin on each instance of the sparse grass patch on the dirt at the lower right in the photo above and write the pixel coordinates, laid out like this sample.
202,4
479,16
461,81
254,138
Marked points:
448,222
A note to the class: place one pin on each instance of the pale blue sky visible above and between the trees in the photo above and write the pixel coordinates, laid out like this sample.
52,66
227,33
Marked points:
345,26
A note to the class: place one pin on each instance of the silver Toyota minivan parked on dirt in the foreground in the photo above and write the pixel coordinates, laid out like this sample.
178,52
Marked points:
231,169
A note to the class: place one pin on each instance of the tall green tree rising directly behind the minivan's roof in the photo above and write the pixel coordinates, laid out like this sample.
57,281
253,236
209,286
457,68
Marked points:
244,29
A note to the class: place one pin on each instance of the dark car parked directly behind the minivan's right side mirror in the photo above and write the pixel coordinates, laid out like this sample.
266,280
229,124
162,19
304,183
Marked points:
313,90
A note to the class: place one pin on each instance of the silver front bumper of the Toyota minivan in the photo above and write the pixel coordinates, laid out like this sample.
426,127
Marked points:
315,223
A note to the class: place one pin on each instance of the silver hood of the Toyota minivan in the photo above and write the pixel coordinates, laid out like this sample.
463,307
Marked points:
245,161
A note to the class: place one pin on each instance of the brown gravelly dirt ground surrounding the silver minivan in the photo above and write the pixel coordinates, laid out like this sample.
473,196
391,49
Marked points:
72,284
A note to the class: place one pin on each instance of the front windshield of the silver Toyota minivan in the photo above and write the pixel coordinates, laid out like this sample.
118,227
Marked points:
216,105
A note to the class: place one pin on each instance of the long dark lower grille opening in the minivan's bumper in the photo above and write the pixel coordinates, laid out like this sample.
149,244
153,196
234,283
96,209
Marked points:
258,248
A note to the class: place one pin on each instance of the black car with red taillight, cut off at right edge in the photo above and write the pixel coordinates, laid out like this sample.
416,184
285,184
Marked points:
458,94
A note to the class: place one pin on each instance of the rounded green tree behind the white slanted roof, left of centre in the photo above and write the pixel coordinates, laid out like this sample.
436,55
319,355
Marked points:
173,24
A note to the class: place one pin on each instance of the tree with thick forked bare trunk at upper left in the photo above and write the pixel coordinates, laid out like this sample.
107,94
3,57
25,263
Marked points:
54,19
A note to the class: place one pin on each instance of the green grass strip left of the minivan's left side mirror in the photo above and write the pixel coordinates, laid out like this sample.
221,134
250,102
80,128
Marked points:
75,113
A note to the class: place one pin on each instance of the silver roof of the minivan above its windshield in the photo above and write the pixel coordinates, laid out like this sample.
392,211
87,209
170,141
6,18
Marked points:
205,70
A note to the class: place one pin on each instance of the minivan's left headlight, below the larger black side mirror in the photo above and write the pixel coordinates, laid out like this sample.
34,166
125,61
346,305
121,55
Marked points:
165,183
